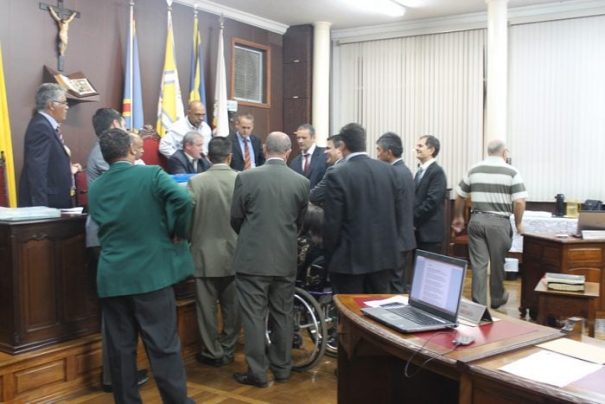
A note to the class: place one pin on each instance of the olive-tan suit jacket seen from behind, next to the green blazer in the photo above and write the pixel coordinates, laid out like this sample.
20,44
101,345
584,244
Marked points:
212,238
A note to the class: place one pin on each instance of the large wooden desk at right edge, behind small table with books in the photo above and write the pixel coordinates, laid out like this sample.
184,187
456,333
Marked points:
547,253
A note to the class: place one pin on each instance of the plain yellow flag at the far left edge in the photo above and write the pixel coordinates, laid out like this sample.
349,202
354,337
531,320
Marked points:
6,143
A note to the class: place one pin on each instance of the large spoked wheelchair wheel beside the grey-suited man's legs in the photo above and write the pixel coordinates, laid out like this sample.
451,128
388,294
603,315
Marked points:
309,342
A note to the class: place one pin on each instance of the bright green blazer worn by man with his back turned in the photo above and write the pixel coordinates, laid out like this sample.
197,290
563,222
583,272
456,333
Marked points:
139,209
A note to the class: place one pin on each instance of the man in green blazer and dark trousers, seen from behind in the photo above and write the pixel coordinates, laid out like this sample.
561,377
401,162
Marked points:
140,260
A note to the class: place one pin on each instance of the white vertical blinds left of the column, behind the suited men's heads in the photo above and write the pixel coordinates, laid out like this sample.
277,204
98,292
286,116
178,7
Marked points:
429,84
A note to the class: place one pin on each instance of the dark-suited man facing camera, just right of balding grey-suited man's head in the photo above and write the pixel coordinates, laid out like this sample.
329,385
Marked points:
311,161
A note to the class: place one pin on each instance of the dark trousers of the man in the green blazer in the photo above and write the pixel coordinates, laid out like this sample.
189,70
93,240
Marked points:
153,316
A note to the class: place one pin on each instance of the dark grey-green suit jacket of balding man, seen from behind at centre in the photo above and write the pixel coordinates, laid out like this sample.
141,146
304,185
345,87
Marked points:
268,208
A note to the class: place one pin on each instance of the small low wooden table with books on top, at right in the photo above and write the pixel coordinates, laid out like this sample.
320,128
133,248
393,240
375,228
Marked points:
561,305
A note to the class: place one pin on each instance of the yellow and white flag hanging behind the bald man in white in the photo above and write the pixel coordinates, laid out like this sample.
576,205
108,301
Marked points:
170,104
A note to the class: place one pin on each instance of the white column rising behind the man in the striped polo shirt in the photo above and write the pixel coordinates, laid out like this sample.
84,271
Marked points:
497,71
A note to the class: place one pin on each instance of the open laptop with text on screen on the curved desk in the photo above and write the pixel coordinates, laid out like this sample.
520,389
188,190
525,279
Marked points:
434,297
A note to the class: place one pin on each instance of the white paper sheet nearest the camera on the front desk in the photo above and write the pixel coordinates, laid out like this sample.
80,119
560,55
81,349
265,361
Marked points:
551,368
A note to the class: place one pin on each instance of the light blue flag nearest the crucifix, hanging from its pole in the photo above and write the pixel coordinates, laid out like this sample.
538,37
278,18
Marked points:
132,103
